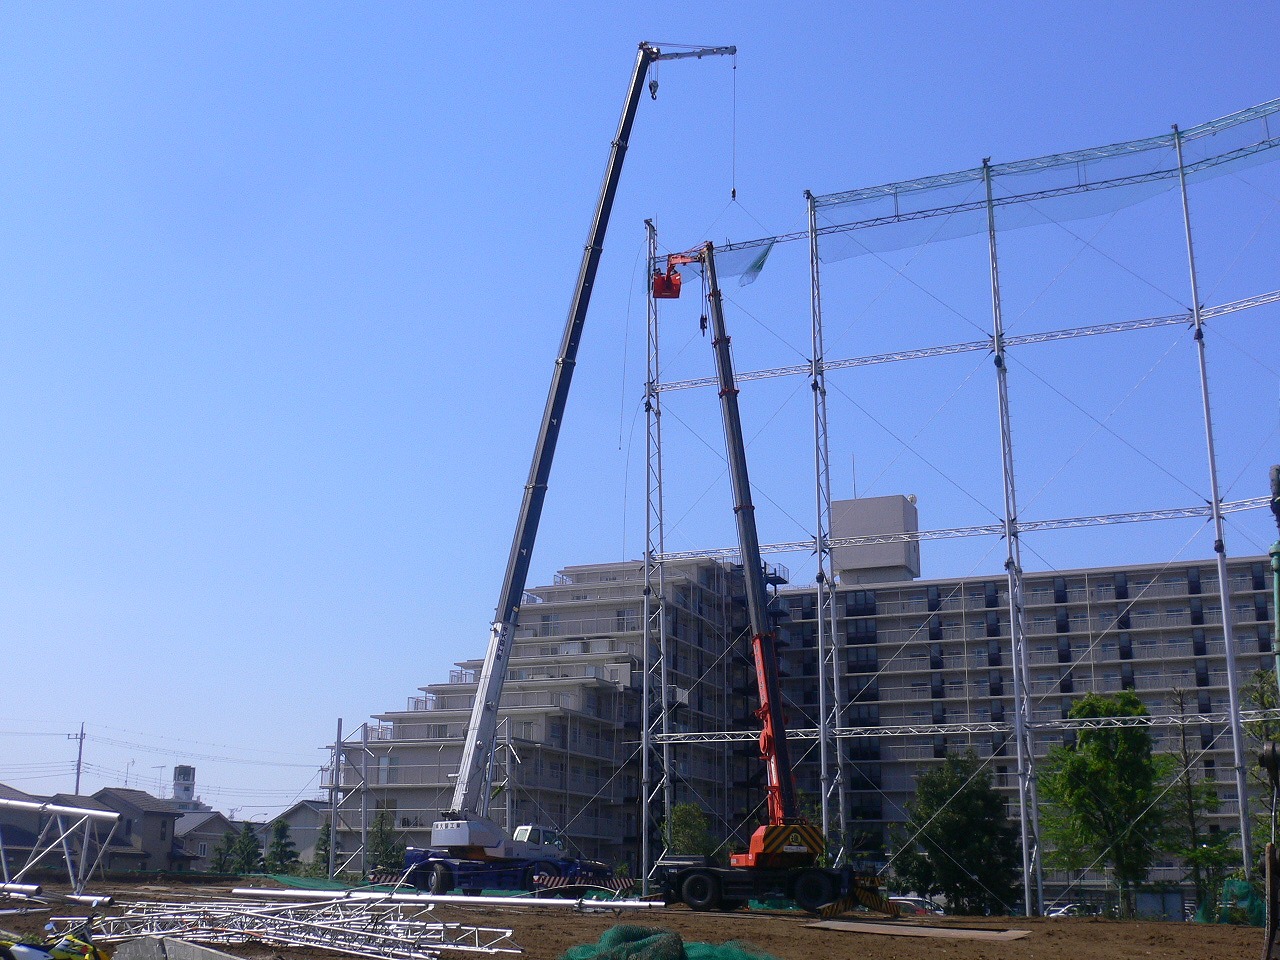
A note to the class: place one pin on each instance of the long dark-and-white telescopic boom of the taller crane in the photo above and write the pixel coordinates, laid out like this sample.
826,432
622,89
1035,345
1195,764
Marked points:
468,825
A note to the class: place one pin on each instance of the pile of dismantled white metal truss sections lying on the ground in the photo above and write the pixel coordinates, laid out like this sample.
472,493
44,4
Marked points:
355,927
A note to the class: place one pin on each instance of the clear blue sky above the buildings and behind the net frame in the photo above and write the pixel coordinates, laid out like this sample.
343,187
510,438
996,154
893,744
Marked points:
282,286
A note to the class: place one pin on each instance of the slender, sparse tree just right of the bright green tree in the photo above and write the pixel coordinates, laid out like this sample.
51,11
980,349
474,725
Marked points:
1206,856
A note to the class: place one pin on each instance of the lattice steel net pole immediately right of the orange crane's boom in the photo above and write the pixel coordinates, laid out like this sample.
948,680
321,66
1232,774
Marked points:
835,785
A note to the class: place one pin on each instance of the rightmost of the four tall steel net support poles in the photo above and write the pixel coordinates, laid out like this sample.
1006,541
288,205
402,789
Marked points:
1224,588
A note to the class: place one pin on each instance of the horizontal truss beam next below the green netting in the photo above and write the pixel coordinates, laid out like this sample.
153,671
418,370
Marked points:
986,345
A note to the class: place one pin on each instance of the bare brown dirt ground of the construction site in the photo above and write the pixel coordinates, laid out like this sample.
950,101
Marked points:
788,936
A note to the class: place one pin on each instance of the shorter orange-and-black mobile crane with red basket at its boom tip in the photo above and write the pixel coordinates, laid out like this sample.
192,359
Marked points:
784,853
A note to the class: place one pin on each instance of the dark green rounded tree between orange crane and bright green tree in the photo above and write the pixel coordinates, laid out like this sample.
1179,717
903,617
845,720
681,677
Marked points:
959,842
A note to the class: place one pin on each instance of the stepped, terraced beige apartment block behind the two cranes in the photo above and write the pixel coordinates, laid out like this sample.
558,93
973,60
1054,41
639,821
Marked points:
572,714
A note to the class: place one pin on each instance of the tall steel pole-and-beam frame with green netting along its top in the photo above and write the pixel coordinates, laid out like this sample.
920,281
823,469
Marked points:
988,200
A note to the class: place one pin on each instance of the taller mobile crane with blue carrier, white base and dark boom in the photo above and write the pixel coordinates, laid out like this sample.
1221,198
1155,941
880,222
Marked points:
468,848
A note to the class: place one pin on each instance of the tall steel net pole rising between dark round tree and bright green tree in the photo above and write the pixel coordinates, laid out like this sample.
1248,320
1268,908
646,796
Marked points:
1028,815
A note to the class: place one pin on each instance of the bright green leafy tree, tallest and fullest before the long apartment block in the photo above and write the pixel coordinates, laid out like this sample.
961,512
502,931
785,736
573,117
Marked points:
1101,797
